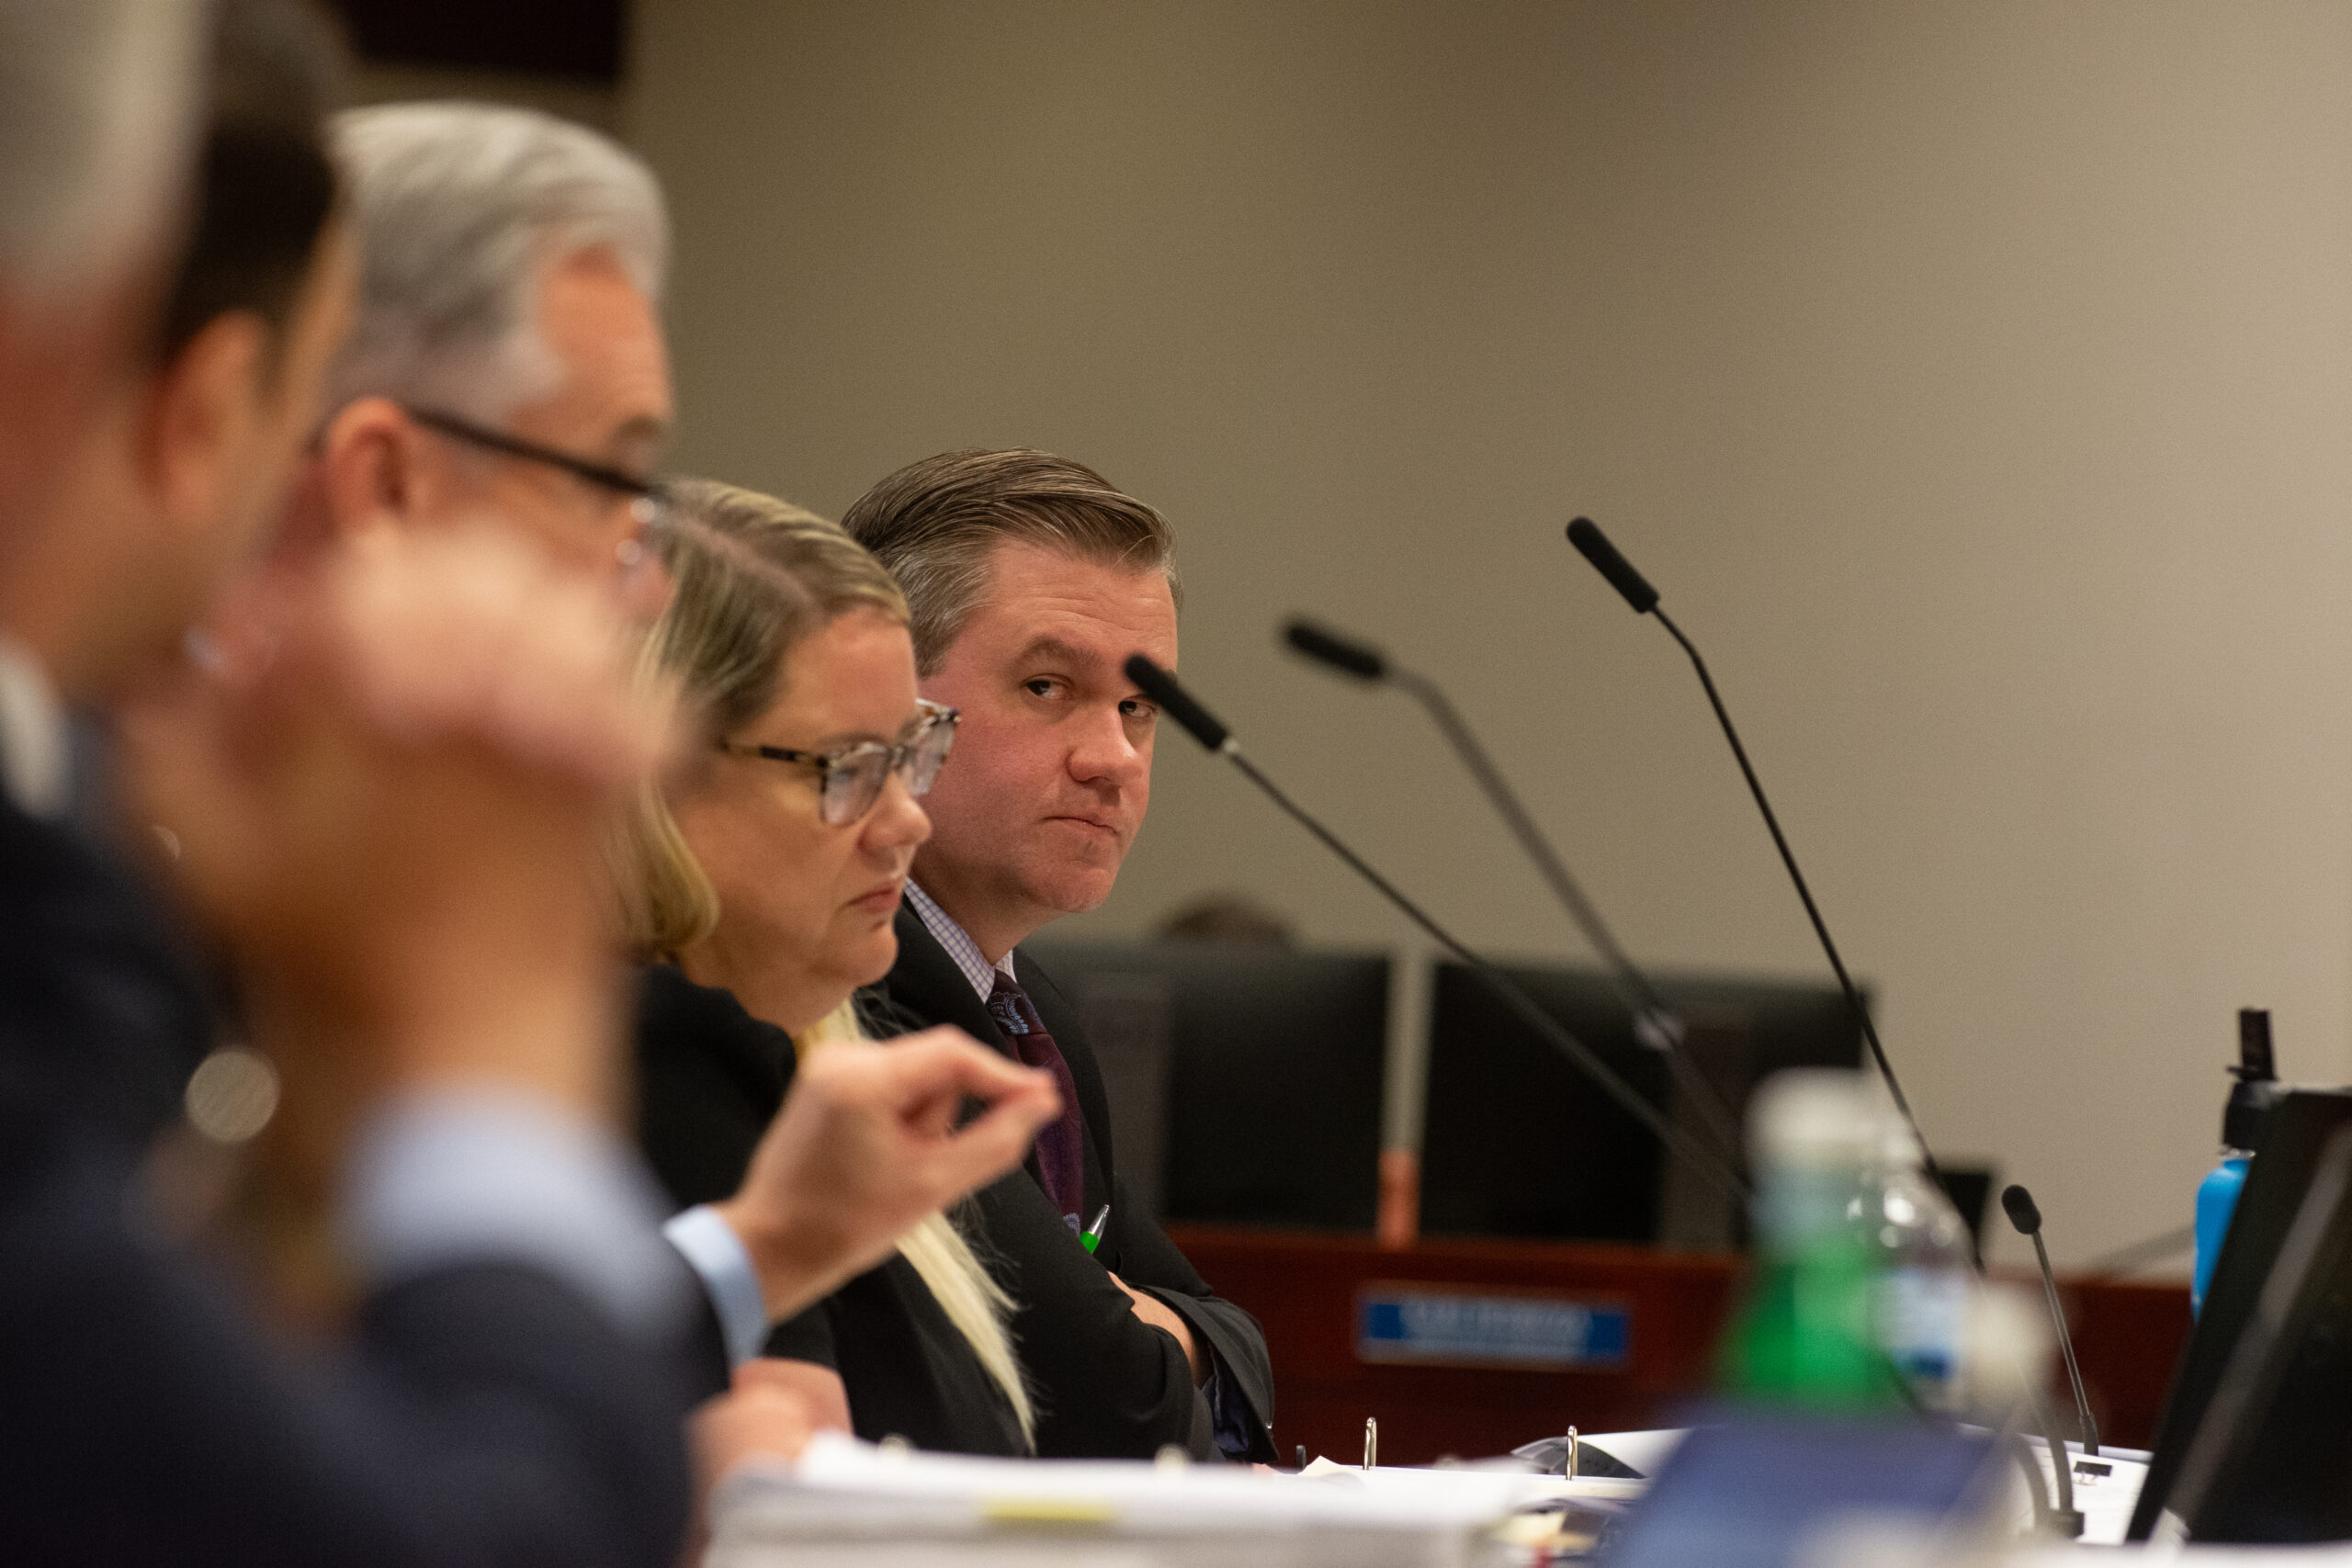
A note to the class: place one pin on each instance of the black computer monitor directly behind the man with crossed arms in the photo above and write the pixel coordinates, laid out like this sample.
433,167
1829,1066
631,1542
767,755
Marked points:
1245,1080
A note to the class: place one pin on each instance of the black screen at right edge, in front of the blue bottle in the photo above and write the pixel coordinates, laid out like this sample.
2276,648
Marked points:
2278,1186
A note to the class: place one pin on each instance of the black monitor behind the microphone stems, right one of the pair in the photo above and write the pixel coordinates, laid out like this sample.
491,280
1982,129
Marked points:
1521,1144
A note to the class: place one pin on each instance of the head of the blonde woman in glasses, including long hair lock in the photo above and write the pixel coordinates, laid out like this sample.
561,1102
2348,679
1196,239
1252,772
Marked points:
777,876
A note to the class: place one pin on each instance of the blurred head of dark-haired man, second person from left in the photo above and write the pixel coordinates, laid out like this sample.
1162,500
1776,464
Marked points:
185,464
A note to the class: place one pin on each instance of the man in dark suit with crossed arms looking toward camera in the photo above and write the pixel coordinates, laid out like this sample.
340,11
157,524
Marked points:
1031,582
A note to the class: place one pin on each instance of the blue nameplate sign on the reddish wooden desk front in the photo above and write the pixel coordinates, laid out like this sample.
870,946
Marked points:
1464,1329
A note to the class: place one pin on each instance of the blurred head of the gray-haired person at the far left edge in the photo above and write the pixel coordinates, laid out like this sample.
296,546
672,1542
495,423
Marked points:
95,105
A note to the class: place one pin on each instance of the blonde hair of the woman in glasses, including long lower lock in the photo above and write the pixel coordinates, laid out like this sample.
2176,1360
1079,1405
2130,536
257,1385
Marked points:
751,577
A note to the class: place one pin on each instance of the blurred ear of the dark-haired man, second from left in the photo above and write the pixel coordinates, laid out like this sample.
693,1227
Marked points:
203,413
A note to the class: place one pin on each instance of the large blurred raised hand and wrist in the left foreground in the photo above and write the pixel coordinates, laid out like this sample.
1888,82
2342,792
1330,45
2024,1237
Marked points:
389,784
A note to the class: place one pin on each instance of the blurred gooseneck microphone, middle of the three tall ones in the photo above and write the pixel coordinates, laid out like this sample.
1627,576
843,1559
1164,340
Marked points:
1655,1021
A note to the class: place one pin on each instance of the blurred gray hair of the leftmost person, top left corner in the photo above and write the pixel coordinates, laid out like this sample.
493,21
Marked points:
98,105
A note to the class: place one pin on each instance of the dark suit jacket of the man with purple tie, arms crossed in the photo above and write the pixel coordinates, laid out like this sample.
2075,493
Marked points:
1114,1386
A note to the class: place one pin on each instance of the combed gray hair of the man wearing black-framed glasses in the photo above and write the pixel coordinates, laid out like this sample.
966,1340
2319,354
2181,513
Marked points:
462,208
